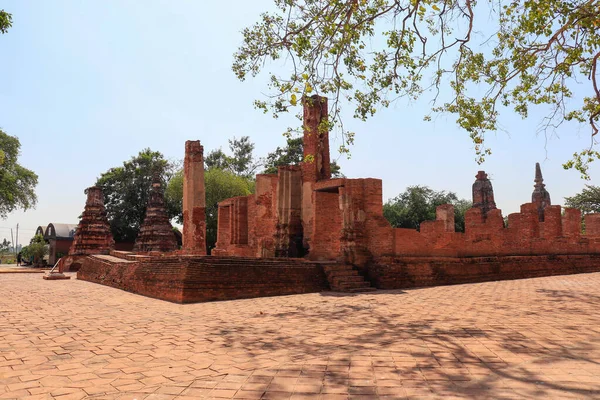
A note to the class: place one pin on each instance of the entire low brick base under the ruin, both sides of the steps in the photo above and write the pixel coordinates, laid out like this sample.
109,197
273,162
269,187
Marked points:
192,279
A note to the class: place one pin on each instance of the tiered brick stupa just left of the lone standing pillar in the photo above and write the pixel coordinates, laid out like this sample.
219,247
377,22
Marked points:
156,233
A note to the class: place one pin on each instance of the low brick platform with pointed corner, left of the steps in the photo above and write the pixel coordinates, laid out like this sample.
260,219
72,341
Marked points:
200,279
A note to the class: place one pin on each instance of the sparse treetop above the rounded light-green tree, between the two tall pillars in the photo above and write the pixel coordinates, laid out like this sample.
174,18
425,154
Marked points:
241,162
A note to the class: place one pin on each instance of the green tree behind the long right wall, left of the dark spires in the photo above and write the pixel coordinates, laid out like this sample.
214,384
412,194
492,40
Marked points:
418,203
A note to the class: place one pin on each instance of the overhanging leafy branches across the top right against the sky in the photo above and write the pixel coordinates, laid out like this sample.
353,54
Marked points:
478,58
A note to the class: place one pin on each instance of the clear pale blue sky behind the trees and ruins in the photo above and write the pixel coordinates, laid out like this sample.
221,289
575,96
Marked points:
86,85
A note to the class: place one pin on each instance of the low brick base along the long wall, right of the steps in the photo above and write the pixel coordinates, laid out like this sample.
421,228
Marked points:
408,272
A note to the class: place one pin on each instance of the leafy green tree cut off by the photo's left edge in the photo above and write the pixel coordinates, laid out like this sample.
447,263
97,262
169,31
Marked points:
17,184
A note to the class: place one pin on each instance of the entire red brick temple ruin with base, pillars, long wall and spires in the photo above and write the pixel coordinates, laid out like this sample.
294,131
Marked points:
302,231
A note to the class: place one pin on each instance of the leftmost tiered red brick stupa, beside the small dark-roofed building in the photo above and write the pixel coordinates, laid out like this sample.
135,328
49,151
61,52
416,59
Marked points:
93,234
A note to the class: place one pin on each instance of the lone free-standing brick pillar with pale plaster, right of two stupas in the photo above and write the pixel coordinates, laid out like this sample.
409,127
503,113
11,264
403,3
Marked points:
194,200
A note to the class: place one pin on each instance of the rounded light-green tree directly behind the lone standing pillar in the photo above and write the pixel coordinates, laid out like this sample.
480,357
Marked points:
219,185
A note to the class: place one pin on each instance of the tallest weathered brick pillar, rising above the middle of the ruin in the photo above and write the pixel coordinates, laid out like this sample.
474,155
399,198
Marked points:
316,165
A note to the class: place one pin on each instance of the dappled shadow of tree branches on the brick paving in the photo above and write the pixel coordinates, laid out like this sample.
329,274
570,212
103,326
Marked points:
452,356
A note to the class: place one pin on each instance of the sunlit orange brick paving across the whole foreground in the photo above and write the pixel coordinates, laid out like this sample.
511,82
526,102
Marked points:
536,338
